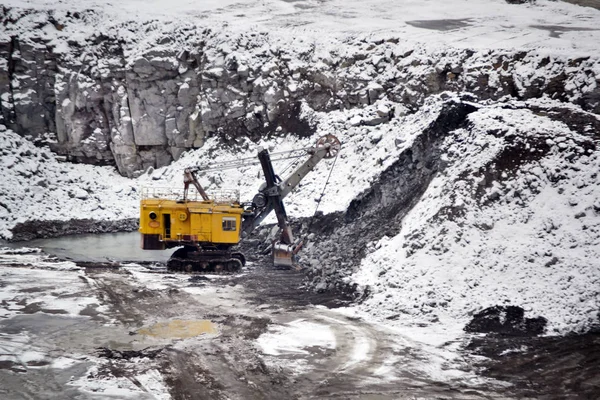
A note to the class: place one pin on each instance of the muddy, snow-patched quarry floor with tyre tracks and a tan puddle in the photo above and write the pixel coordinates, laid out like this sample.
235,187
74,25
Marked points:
101,328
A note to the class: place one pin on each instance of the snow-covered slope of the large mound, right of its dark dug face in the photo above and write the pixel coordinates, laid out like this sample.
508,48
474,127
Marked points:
531,241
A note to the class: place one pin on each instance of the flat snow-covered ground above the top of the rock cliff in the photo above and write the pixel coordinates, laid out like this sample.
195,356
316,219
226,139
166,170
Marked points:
546,25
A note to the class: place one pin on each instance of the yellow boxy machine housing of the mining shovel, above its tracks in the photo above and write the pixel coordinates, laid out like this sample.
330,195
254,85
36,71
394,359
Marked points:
169,222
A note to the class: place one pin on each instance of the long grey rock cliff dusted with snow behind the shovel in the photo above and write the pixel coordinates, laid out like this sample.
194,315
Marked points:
105,99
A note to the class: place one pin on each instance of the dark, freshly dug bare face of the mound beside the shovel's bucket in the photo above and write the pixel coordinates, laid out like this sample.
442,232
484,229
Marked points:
340,240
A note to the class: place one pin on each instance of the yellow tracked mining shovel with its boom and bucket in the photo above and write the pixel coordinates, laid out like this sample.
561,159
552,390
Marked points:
208,227
